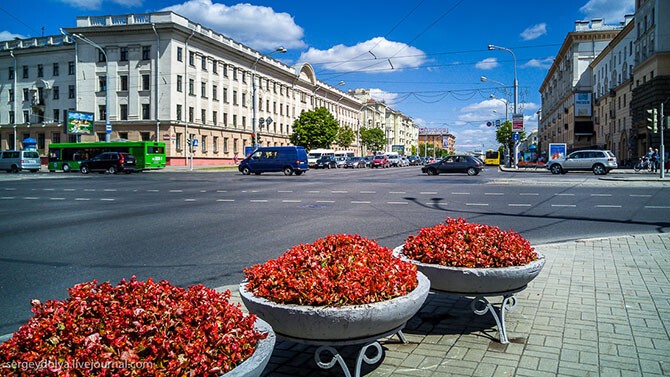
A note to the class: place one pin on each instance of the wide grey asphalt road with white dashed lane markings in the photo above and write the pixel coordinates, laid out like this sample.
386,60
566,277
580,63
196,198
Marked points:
57,230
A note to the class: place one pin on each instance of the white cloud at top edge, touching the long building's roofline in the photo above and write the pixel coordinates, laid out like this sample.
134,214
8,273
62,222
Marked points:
241,22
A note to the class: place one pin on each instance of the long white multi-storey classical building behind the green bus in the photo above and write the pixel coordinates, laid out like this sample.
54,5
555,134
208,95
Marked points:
161,77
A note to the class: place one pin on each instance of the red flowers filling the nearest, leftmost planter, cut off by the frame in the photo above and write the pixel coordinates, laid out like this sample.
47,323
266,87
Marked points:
135,328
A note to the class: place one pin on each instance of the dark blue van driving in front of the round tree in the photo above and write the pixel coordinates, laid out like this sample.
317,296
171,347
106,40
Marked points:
288,160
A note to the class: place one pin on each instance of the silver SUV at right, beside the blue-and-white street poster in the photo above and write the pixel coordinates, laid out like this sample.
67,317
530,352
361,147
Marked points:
600,162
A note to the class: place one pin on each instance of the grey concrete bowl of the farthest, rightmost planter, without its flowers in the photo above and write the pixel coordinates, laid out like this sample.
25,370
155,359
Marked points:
477,281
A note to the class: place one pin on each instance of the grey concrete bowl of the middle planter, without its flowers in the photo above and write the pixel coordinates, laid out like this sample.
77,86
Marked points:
337,323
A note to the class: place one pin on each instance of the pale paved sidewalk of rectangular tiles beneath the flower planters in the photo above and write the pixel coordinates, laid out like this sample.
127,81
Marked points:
600,307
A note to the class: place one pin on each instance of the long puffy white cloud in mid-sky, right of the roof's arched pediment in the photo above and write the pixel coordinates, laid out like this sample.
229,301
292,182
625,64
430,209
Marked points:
377,54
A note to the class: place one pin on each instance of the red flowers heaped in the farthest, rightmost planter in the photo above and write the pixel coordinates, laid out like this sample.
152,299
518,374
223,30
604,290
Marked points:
458,243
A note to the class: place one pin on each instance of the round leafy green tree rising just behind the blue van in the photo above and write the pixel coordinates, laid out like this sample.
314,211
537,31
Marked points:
314,129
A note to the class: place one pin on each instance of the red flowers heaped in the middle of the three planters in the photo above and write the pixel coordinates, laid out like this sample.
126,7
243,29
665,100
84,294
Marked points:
336,270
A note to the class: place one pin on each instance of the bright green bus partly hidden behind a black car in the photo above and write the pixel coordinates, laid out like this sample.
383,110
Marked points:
67,156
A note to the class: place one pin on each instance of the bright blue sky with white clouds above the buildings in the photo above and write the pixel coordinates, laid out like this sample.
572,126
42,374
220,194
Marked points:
423,57
